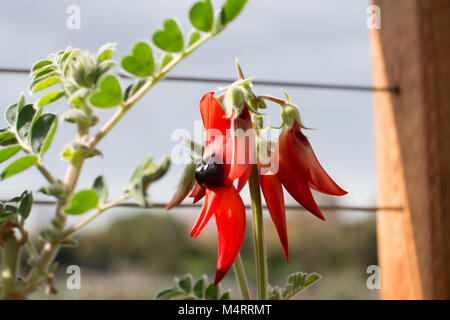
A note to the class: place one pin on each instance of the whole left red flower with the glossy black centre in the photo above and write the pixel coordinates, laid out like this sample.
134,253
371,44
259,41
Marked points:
225,159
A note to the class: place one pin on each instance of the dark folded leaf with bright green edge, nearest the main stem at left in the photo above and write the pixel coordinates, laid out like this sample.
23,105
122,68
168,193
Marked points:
42,133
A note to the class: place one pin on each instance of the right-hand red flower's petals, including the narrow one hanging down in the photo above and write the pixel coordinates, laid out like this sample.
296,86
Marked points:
298,171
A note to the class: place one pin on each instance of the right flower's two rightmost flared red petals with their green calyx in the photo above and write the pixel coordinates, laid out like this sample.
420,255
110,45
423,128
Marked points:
299,170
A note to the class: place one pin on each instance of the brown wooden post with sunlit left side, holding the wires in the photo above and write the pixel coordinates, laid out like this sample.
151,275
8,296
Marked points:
412,50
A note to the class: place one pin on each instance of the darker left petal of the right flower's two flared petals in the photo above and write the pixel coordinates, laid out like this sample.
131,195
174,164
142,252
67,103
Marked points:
294,182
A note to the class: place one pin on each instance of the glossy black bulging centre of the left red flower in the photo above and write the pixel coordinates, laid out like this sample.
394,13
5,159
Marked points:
210,172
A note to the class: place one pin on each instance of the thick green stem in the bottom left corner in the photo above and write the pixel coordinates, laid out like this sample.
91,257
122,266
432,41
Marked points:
10,257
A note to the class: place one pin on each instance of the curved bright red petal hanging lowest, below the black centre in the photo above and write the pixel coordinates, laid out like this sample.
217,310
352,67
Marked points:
230,222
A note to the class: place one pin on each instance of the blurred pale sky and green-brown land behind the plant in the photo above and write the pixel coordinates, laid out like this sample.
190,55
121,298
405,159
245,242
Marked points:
131,253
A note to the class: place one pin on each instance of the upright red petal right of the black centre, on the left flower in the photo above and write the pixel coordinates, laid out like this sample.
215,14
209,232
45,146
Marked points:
243,144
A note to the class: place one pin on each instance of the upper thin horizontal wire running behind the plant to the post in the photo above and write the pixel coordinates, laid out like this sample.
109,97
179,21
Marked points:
394,90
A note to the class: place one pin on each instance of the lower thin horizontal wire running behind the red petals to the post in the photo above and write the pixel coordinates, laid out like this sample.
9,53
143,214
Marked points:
159,205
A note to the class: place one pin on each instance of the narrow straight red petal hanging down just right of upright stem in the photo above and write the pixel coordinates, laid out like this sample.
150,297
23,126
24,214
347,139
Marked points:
273,194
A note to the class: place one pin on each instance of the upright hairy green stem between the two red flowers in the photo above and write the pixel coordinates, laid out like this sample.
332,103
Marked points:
258,234
